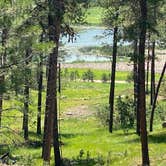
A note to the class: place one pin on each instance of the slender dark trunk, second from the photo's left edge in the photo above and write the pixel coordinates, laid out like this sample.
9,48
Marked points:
26,97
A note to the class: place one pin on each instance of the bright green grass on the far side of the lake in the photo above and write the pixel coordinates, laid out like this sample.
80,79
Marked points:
94,16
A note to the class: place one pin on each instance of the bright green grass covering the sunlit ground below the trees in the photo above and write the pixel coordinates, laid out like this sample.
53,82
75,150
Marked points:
85,141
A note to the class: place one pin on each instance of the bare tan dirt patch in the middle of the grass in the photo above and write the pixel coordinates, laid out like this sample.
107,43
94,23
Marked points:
78,112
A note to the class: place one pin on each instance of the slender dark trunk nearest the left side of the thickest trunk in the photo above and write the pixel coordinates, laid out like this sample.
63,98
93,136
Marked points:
40,85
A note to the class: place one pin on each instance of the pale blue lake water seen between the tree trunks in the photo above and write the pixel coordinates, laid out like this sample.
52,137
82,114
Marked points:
86,38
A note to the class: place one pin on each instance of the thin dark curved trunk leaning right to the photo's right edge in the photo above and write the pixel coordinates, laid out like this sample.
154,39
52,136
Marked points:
155,98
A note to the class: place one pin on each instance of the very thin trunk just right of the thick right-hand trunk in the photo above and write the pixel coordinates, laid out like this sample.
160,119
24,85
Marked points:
147,70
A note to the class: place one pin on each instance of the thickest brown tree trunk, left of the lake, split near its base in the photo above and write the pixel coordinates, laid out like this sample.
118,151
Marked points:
51,121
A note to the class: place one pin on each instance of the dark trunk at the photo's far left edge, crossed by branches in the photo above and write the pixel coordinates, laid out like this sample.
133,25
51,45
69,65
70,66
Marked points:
2,76
